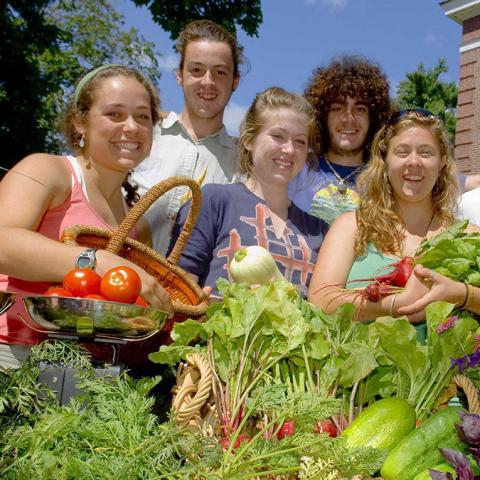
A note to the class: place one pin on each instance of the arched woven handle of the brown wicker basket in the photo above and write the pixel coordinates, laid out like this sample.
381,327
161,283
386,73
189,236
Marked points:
119,236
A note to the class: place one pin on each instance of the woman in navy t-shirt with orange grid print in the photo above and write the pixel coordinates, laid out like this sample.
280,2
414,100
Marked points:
276,138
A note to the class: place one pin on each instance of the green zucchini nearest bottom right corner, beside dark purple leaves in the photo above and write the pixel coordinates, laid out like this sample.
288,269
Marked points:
419,450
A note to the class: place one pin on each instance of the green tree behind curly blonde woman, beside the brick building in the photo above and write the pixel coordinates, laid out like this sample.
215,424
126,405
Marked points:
424,89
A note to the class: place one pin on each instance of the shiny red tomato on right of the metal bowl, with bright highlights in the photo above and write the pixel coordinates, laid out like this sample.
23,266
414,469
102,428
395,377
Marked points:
121,284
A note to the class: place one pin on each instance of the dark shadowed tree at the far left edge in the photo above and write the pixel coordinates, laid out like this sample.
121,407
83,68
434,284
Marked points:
25,35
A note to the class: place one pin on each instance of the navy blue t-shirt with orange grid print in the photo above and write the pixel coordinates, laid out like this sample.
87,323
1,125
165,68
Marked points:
232,217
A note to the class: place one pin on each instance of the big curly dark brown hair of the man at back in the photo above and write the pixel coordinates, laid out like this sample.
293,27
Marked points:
349,76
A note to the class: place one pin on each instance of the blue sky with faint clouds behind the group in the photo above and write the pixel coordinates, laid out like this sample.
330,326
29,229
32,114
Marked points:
297,36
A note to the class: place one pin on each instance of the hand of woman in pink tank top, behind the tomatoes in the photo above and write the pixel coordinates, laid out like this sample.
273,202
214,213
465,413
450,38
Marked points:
152,291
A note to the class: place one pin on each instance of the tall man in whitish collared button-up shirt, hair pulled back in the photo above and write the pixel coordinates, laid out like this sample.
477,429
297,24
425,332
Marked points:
194,143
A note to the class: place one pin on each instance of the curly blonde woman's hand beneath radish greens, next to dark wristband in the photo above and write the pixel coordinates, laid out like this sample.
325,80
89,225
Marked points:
441,288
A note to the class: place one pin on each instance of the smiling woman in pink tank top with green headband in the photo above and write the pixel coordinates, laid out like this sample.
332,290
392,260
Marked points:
109,126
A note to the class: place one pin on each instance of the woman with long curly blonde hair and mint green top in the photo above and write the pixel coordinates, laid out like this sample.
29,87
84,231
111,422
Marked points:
408,192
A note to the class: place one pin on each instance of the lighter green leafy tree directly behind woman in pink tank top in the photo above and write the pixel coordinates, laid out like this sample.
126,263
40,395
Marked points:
92,34
